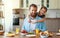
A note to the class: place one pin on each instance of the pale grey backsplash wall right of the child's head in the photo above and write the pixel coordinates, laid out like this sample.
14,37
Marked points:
53,13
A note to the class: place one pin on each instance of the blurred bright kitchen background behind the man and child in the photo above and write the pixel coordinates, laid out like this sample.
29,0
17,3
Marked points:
13,12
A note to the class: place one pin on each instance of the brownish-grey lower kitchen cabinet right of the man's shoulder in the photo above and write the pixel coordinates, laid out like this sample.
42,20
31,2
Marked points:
53,24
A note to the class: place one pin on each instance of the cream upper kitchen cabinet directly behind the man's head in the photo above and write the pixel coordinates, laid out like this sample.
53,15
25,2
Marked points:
27,3
